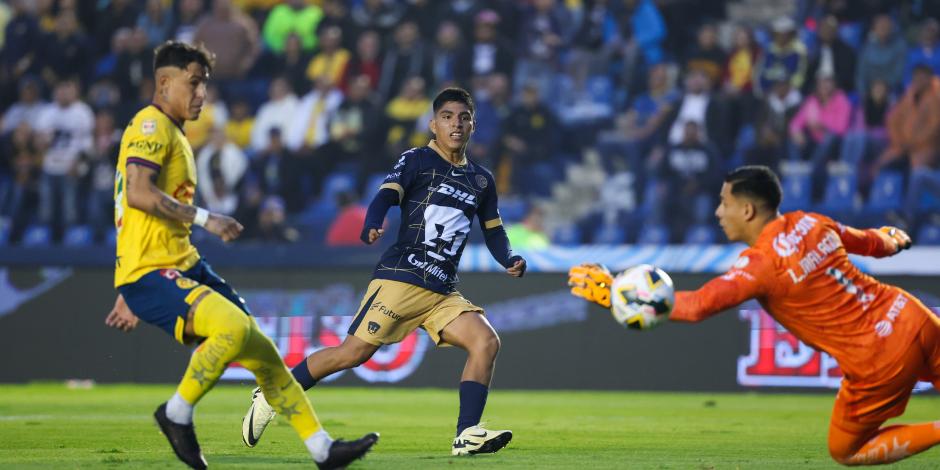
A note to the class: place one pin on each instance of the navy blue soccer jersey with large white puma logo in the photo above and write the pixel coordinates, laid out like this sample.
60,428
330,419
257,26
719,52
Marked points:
438,202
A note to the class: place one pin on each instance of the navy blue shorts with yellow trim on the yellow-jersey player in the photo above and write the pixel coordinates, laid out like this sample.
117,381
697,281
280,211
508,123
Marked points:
160,296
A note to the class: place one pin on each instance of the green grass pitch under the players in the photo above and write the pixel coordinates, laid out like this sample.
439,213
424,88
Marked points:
50,426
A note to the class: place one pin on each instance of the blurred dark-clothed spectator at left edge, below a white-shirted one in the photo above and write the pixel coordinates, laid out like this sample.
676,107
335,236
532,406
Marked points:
23,189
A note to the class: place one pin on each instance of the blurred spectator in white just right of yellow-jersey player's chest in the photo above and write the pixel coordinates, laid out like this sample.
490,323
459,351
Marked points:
222,165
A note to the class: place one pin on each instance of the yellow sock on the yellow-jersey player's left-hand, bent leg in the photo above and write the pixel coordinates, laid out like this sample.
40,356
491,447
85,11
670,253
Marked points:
226,328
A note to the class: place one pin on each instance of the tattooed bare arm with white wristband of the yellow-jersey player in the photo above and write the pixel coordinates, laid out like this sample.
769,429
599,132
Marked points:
143,194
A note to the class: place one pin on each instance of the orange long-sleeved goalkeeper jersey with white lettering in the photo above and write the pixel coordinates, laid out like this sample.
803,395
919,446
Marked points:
800,273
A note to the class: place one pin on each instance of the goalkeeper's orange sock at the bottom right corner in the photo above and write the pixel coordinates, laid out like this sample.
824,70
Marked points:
894,443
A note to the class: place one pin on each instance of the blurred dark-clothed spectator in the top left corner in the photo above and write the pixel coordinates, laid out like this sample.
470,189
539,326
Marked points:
19,54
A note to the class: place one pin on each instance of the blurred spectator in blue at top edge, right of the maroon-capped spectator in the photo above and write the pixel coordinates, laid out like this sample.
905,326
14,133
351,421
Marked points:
541,41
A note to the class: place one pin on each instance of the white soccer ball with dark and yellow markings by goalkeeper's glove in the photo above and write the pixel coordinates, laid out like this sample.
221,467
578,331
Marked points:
642,297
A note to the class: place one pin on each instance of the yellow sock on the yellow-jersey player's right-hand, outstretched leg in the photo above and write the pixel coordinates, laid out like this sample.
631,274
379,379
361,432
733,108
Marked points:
280,389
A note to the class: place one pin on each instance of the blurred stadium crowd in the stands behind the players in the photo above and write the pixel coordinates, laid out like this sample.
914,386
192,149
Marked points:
311,102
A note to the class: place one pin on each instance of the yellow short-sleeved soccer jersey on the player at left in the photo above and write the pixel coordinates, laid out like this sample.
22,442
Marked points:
146,242
